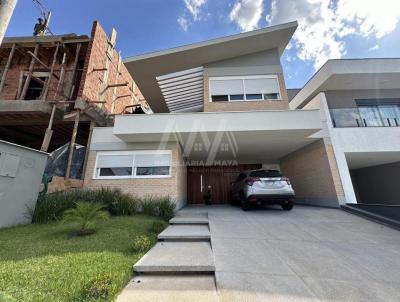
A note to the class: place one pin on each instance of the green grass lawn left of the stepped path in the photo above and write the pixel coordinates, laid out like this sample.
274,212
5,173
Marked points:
48,263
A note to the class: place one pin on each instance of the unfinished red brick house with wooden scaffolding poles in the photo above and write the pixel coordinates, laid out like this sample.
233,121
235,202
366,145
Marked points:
51,83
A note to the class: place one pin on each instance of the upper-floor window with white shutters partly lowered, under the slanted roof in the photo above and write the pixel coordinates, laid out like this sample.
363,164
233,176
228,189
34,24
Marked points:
244,88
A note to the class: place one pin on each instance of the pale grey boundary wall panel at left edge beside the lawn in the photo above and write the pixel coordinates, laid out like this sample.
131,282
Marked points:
21,171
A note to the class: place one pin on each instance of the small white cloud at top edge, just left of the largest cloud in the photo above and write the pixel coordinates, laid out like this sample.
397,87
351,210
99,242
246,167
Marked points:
247,13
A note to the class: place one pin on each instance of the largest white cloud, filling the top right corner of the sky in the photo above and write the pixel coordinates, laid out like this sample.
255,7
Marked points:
323,24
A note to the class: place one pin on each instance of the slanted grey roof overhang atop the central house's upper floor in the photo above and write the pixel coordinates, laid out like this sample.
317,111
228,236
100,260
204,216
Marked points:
147,67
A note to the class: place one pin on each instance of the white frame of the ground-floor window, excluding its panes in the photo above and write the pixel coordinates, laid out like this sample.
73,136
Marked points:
133,153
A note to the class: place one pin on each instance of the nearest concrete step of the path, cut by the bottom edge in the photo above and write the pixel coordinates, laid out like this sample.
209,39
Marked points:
167,288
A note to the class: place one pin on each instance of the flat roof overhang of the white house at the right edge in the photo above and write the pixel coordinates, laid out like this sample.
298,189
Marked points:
350,74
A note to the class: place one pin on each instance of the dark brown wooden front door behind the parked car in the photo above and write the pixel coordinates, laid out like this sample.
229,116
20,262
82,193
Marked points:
215,180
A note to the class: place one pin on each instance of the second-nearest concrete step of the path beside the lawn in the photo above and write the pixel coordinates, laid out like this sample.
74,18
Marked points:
177,257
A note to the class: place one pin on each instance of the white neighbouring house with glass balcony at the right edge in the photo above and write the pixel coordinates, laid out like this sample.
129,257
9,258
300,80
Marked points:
359,102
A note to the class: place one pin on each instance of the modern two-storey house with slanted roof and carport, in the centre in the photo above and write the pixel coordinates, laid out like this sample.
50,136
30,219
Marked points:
219,106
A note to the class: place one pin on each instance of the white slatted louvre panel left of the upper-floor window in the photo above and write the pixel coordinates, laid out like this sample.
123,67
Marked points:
183,91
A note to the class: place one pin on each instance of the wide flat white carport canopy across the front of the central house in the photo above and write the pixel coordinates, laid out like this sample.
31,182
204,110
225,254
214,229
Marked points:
251,136
